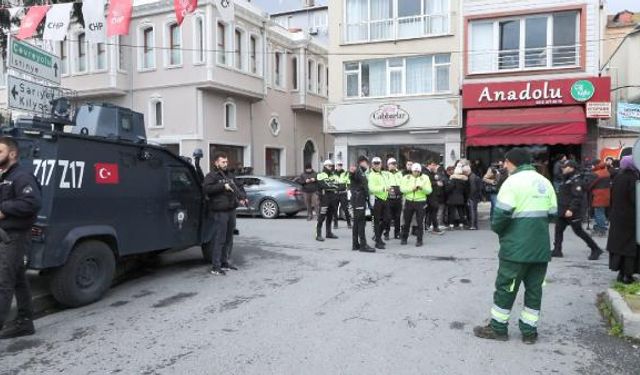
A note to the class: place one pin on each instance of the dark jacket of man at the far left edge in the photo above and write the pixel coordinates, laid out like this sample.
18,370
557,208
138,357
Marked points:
20,198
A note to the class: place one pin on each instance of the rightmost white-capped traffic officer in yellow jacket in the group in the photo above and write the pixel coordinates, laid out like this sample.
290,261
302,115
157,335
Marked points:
415,187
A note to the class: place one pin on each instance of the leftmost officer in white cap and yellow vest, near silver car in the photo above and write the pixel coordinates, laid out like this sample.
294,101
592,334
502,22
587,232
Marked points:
327,192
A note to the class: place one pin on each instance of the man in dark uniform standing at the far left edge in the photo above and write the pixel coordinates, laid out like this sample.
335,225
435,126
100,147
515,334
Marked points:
20,201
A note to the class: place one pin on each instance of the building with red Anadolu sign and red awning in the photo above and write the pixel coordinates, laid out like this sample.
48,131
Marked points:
532,77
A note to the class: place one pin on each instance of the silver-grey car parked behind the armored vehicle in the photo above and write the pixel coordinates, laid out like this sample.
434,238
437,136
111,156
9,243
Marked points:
271,196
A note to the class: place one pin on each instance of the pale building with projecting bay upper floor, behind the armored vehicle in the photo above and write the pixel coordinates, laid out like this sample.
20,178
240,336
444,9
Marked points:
249,88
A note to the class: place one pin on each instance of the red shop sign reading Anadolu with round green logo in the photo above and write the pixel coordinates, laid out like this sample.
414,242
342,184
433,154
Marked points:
536,93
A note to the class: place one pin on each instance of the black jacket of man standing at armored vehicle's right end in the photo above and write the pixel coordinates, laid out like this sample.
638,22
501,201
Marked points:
221,199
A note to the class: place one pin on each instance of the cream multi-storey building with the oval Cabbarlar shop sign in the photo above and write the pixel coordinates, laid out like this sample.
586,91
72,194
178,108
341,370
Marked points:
394,83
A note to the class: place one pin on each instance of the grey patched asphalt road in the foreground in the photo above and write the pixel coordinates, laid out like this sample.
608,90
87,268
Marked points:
302,307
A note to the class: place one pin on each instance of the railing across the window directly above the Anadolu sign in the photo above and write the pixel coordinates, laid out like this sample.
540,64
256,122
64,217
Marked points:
524,59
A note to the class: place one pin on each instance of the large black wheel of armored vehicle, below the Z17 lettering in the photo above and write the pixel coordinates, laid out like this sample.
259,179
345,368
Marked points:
86,276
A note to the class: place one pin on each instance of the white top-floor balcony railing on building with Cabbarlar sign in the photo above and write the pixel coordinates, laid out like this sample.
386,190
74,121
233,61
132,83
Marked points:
396,28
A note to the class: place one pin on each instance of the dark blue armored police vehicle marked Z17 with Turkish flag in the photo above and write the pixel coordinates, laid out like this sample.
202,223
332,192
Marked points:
107,195
